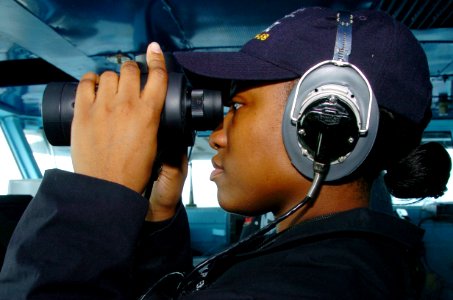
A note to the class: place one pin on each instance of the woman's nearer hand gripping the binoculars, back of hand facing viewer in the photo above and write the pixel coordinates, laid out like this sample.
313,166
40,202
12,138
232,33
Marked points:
114,130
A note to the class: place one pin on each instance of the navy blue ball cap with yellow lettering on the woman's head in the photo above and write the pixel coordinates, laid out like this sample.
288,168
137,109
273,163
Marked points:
383,49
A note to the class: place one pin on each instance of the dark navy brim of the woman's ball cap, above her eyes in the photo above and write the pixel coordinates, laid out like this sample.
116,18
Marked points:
231,65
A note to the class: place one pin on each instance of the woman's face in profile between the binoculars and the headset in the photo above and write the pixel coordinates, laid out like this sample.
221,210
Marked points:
252,170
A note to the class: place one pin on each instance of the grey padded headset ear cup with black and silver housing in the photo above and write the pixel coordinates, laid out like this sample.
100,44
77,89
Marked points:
353,99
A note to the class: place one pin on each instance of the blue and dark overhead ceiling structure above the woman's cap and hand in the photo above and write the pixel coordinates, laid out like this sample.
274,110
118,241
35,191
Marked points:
48,40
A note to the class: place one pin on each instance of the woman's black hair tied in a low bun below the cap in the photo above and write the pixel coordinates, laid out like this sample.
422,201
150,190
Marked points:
412,170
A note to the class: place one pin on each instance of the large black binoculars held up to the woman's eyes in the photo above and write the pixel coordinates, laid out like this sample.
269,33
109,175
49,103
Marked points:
185,111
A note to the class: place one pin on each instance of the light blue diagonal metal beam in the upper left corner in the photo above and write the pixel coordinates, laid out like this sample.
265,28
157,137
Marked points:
29,32
